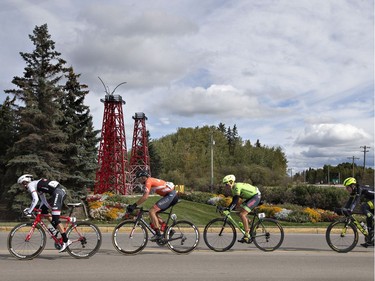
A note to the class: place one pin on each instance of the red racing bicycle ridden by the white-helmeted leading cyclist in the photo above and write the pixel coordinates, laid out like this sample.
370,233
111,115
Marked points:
28,239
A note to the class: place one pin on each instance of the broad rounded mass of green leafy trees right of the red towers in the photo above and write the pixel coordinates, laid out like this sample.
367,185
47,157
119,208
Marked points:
186,158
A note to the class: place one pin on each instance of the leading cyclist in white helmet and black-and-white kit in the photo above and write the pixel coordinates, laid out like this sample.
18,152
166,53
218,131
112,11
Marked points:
38,189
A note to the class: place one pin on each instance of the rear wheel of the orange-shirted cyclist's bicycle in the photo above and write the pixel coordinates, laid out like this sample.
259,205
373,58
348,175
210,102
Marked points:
182,237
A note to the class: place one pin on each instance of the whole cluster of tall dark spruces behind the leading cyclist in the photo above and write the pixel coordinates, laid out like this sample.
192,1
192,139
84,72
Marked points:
53,134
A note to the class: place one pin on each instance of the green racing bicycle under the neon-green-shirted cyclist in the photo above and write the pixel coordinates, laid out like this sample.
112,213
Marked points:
220,233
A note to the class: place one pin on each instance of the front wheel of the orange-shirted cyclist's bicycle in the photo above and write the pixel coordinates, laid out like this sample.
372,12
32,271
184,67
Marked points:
129,237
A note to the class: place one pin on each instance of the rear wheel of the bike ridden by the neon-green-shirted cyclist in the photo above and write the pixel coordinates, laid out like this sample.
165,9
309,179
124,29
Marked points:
268,235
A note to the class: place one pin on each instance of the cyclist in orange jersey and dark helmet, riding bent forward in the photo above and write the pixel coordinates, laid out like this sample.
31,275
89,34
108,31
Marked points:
164,189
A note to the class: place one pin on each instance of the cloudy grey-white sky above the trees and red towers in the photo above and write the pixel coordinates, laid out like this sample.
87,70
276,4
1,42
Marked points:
298,74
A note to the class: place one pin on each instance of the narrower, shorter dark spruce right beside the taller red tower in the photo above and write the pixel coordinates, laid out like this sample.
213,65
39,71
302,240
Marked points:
80,156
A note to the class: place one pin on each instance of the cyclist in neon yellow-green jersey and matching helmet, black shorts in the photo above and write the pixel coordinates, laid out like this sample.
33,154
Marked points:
251,198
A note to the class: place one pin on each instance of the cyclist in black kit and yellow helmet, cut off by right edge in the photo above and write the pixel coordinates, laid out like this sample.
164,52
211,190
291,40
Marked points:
367,208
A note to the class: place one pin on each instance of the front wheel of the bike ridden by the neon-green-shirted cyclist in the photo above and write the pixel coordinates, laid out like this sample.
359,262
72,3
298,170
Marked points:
219,235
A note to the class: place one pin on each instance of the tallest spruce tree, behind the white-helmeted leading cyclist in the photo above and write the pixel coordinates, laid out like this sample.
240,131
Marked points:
41,142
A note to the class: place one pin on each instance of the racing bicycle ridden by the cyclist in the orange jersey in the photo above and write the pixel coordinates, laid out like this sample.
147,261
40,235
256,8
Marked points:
130,236
